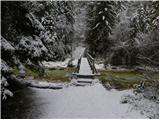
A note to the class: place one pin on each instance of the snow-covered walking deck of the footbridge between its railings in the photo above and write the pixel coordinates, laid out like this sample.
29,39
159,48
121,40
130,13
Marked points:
84,67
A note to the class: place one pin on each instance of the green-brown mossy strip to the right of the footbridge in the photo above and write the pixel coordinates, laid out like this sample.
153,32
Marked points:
125,79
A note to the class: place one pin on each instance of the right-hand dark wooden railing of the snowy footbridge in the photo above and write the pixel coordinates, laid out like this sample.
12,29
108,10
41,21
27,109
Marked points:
91,63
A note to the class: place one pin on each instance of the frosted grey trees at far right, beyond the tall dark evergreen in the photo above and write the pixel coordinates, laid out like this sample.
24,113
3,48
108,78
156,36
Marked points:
135,35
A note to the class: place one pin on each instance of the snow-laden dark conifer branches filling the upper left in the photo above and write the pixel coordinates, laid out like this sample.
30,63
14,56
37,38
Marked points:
34,31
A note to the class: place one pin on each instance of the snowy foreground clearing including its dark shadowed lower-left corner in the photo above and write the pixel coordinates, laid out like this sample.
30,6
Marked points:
90,101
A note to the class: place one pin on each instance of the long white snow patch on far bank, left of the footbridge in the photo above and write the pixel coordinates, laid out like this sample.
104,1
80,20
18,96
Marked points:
56,64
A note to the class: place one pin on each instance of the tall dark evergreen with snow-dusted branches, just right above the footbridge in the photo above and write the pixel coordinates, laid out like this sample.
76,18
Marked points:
101,19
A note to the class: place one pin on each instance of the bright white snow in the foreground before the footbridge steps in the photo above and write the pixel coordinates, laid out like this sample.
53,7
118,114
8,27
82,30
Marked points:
84,102
